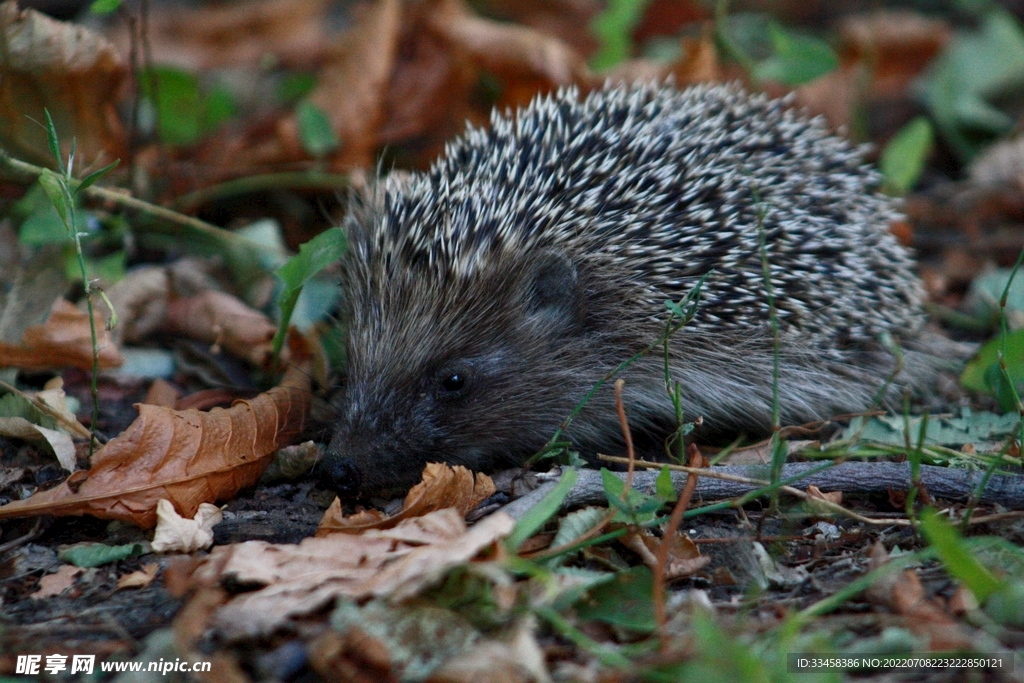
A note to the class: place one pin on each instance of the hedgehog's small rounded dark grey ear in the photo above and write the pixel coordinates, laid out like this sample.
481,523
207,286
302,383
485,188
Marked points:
554,294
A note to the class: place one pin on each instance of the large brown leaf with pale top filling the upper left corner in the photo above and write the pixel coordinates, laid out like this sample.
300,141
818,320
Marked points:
68,70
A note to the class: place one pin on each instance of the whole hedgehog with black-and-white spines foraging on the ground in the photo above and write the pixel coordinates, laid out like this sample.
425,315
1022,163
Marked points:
487,297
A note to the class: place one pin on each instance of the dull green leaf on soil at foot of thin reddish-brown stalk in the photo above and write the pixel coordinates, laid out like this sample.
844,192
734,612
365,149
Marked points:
625,602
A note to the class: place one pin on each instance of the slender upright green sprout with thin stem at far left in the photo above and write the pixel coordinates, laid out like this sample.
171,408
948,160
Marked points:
63,190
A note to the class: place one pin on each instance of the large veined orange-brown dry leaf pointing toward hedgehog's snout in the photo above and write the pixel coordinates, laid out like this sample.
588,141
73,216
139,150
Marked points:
187,457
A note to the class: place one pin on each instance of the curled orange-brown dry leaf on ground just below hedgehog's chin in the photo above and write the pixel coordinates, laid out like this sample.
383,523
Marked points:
443,487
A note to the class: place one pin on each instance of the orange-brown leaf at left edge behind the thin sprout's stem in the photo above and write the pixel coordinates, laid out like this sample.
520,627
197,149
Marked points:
64,340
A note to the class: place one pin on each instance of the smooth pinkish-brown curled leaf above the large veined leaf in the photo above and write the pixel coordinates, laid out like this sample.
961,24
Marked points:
225,321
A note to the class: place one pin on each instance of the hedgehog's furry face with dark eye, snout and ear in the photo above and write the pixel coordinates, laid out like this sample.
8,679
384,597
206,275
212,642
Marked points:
449,370
